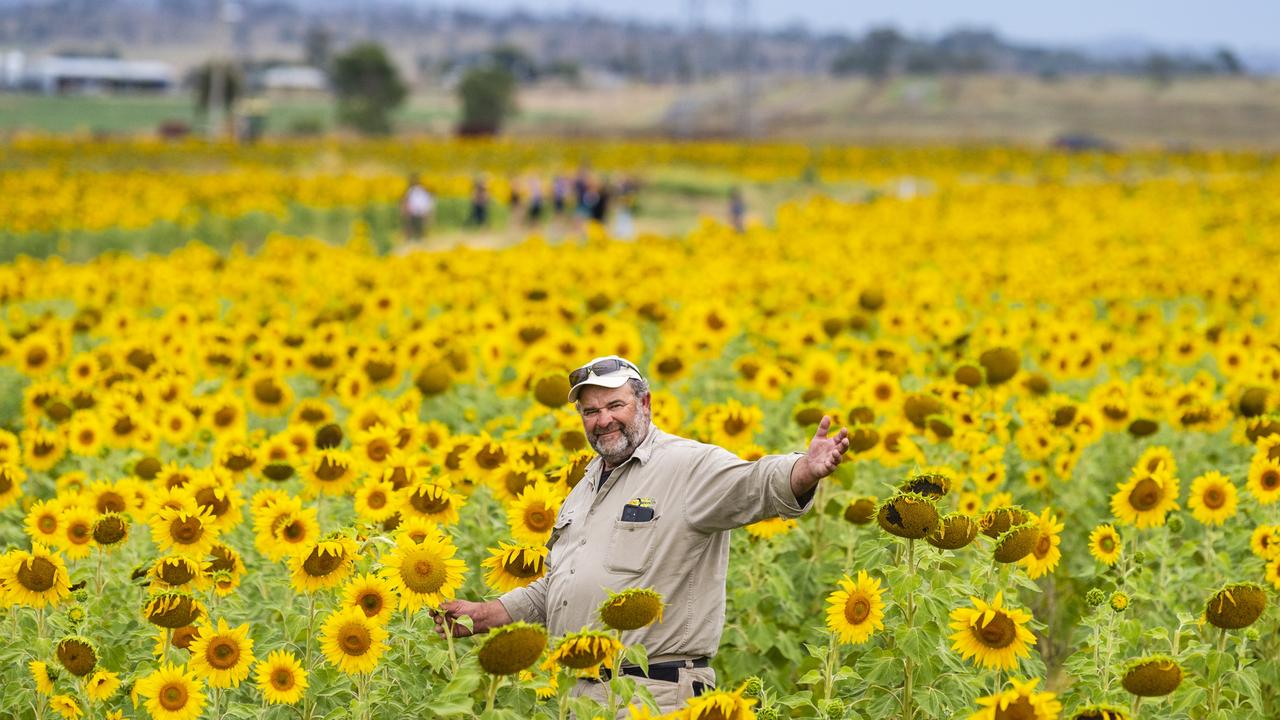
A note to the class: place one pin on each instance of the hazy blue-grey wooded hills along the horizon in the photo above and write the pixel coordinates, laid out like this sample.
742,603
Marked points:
432,43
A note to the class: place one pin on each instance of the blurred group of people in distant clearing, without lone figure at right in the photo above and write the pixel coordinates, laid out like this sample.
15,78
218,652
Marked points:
532,202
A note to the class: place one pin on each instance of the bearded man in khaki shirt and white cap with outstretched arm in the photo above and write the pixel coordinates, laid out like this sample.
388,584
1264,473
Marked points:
652,512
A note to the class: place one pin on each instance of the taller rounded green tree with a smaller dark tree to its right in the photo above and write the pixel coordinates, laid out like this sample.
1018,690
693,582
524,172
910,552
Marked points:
368,88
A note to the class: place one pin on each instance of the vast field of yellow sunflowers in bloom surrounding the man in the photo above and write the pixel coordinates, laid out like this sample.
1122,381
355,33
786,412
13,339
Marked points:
236,477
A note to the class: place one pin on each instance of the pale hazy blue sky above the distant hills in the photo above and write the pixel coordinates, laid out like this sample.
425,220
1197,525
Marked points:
1174,24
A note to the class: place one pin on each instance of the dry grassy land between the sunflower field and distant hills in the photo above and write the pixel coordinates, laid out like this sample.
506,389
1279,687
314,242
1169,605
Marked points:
1124,111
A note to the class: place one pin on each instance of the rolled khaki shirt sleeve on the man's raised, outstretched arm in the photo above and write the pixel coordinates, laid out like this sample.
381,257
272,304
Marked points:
732,493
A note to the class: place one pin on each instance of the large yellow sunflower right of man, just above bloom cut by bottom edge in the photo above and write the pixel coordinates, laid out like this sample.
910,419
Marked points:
991,635
